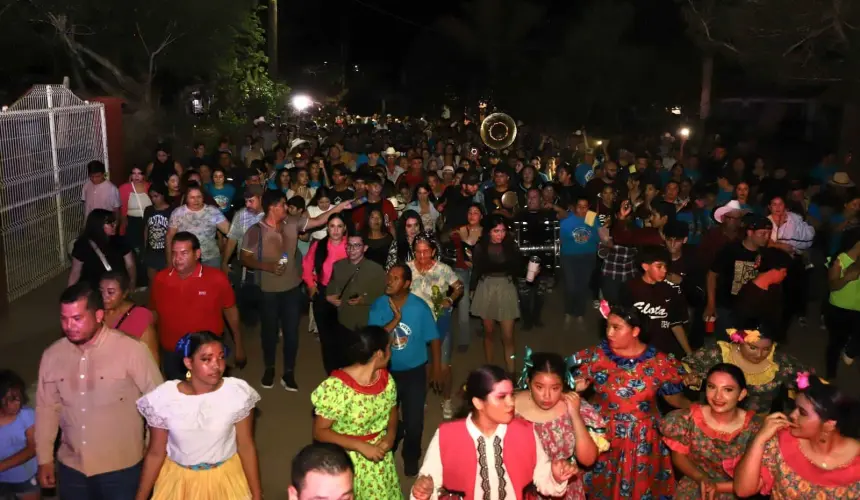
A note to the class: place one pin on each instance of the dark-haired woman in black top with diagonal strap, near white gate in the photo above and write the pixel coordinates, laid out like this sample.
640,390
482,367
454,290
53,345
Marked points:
100,250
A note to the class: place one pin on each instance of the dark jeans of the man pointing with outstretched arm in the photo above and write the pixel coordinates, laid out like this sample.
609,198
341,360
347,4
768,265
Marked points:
281,310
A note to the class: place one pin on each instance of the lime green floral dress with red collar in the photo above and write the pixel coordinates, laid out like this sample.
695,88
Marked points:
362,412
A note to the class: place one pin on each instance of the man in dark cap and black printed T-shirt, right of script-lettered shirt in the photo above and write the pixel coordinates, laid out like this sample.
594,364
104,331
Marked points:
735,265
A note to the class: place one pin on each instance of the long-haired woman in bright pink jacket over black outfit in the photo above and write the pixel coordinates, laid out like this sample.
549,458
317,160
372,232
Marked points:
317,267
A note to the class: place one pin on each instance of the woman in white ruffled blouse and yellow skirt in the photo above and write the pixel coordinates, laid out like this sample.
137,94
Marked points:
201,444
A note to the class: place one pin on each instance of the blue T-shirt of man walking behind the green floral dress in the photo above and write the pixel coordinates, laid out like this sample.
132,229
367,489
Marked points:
416,329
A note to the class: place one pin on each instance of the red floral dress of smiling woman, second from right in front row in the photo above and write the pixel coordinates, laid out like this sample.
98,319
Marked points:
686,432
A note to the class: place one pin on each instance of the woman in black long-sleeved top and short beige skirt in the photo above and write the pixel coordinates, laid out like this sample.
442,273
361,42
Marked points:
496,264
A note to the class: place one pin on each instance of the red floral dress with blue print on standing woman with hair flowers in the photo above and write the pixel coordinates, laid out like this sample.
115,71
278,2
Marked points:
638,465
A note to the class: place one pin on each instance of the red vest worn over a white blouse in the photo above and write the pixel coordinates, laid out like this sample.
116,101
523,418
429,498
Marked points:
460,467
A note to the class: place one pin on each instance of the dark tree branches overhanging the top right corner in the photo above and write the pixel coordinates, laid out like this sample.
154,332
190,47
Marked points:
798,42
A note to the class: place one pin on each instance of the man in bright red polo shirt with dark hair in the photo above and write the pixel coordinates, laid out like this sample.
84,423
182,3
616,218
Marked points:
190,297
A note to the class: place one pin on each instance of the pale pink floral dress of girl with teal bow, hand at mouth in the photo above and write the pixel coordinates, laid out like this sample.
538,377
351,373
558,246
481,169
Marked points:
559,442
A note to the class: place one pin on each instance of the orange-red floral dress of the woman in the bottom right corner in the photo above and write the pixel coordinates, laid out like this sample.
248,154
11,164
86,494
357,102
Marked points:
786,474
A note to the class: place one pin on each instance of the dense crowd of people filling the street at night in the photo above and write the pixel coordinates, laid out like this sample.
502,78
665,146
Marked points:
700,267
